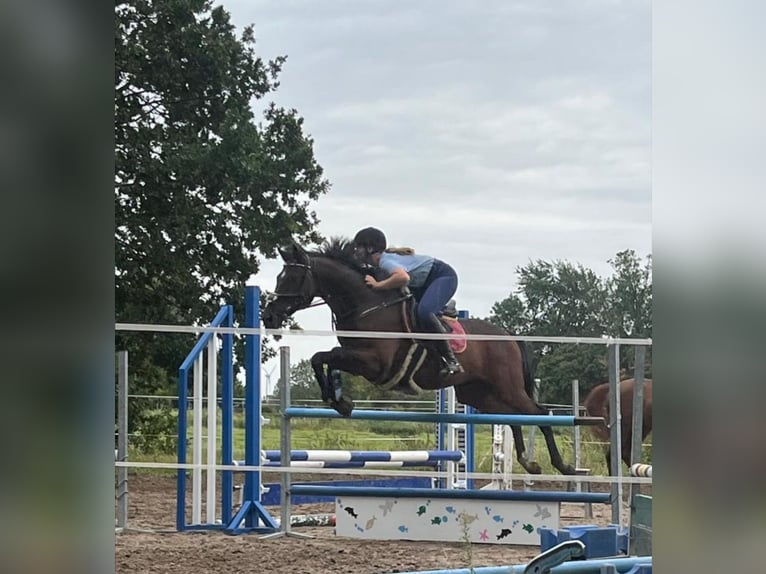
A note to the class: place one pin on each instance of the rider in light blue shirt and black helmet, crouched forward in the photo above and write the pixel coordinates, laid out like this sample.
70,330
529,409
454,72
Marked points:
432,282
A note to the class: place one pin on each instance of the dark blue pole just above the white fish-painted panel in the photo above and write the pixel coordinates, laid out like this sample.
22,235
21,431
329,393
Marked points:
520,495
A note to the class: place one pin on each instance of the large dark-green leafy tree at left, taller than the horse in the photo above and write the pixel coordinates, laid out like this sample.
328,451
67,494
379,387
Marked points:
200,186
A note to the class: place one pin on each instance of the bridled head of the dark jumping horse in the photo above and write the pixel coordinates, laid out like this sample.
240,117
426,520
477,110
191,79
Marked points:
295,289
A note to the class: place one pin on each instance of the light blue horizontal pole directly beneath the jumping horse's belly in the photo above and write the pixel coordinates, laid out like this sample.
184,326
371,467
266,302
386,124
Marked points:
494,419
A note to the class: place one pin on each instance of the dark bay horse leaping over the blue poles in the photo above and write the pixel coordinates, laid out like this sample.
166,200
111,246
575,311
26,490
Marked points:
495,377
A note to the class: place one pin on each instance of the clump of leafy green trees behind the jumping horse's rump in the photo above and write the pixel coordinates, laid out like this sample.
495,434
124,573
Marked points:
562,299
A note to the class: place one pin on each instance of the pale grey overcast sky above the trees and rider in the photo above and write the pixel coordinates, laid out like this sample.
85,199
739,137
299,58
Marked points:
486,134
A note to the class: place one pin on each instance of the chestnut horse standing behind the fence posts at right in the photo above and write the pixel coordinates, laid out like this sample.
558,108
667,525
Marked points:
597,405
